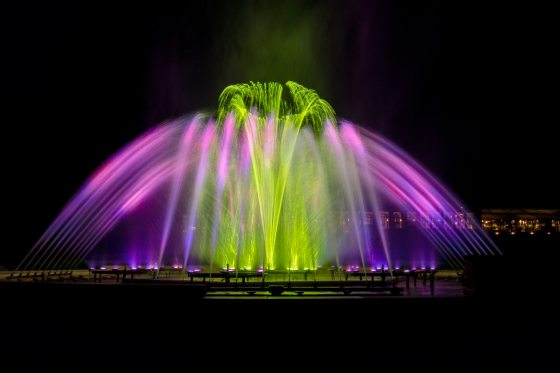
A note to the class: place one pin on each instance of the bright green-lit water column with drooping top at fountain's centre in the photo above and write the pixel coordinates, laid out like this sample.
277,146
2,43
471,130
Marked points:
287,197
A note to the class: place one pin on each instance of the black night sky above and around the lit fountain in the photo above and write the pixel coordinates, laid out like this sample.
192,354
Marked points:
465,88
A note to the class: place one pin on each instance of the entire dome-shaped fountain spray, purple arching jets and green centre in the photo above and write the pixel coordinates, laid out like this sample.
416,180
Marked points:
273,183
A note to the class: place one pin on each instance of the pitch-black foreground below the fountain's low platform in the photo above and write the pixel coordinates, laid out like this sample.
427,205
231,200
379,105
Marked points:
69,327
